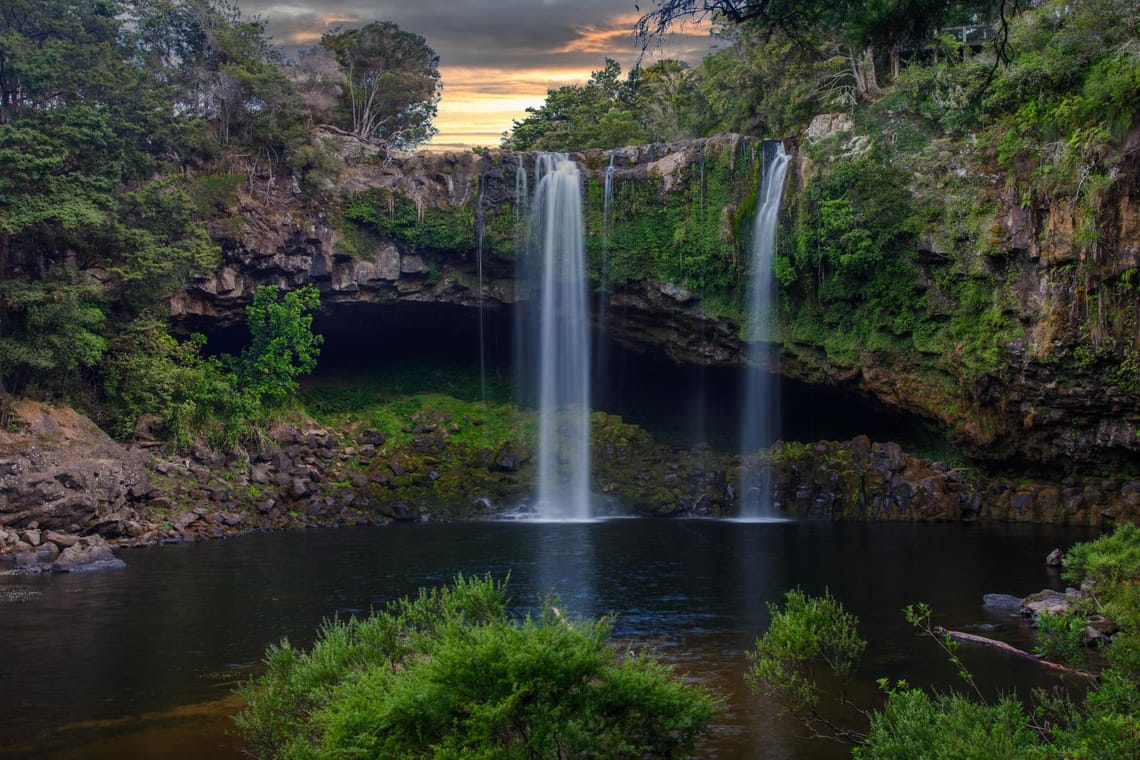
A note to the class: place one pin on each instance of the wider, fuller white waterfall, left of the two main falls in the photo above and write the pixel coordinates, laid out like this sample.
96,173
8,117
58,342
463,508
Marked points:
557,339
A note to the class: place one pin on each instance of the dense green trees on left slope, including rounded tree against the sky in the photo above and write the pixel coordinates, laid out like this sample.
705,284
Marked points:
115,169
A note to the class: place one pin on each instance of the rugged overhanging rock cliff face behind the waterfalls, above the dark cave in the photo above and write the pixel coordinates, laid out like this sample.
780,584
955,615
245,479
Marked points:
1021,340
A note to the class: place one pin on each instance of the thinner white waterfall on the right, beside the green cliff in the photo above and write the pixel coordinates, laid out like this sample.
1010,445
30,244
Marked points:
761,422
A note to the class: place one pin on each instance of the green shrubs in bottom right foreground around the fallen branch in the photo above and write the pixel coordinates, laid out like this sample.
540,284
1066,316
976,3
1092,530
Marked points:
812,633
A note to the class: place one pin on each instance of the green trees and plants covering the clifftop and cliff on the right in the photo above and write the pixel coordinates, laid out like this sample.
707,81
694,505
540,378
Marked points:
894,242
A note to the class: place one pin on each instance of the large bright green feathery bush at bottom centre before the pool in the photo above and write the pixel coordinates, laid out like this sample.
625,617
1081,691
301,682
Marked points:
452,674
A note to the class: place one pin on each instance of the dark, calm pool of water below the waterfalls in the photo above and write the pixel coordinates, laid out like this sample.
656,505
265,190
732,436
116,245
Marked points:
141,663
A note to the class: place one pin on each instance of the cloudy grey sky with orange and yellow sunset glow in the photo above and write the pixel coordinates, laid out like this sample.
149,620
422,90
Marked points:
498,58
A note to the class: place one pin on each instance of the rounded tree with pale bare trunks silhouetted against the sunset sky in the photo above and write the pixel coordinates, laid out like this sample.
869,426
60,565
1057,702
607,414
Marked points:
393,84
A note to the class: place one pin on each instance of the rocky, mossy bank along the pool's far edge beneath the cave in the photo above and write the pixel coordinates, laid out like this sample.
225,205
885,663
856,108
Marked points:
69,494
